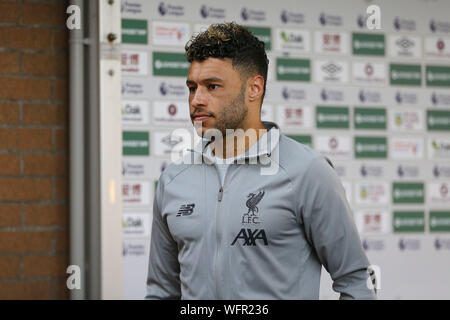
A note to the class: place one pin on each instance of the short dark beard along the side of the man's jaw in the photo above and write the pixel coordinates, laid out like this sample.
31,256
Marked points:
233,114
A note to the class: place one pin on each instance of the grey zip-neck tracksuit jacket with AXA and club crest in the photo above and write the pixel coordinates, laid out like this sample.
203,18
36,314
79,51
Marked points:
259,236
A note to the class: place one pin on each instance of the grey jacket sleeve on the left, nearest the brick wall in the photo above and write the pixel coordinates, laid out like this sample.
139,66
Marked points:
163,280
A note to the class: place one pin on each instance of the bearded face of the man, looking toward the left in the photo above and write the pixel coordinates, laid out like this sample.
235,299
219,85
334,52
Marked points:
216,95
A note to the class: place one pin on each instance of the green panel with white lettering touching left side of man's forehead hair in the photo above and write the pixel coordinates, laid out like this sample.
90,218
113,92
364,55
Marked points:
170,64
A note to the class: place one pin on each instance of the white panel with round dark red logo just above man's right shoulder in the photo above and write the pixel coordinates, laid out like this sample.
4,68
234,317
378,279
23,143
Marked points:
335,147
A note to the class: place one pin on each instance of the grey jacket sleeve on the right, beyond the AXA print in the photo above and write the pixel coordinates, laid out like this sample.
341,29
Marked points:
331,231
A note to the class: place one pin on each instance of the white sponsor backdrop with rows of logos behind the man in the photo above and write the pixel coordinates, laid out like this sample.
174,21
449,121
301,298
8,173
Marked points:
376,102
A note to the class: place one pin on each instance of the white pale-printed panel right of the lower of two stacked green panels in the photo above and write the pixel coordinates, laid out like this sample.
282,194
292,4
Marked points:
407,148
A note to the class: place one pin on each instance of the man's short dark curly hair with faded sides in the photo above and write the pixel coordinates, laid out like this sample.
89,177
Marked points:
230,40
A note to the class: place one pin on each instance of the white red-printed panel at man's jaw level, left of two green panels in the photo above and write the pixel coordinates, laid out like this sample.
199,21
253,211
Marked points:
294,116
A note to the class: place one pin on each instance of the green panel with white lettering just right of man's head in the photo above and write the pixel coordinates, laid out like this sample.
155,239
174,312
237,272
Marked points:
293,69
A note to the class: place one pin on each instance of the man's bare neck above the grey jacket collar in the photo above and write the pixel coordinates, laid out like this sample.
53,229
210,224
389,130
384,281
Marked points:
240,141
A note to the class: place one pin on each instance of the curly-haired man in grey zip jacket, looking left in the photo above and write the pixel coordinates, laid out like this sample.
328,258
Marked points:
225,230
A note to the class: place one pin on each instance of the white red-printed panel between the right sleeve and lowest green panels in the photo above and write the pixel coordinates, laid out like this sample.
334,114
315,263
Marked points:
372,221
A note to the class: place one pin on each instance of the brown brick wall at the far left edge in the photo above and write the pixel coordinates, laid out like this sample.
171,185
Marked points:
34,215
